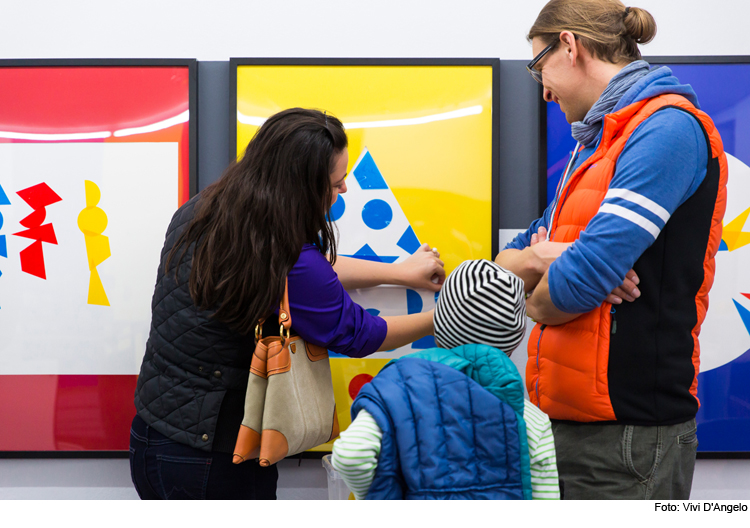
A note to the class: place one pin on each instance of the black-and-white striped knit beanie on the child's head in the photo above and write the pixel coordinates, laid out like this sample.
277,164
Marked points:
481,303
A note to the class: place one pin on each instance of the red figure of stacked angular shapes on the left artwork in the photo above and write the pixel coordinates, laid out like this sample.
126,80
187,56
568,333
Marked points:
38,197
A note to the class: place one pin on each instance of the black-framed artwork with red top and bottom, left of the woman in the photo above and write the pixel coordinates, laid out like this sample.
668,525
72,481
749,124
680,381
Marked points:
95,157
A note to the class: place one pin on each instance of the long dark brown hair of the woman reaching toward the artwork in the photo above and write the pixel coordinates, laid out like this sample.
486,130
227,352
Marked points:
249,226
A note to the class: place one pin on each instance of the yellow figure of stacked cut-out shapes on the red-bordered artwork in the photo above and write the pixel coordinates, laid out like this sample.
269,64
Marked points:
92,222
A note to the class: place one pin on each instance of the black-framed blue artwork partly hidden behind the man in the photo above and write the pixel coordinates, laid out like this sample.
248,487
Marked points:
723,88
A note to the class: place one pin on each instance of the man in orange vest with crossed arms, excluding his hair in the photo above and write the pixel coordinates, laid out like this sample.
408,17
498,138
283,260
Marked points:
637,217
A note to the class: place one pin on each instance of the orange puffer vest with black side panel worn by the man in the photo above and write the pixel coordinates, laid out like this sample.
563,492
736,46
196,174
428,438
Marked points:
643,369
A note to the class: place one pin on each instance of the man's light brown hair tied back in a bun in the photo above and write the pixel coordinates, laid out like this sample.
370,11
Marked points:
609,30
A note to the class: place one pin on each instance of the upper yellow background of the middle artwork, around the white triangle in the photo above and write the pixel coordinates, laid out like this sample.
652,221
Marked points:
429,128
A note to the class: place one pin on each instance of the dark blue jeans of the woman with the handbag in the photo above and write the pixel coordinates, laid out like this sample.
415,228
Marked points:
164,469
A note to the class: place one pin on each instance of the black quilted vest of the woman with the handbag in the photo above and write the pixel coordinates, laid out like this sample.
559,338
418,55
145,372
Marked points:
191,360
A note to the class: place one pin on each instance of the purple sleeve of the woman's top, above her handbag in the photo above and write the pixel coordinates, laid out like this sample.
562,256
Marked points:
324,314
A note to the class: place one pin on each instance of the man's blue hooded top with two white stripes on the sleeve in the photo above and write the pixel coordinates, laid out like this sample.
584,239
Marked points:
663,163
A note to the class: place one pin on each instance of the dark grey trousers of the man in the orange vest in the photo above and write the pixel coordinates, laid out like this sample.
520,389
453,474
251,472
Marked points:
625,461
